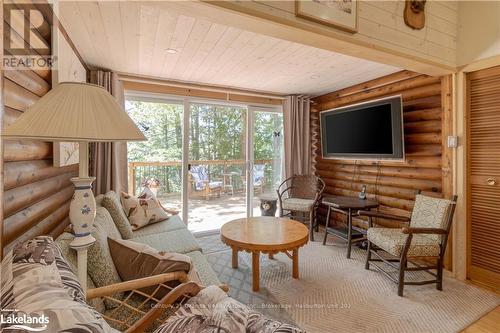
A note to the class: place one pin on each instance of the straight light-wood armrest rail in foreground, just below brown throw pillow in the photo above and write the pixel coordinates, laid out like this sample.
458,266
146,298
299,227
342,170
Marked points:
136,284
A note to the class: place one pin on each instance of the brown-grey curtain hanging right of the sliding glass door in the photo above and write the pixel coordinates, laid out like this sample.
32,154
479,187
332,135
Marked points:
297,136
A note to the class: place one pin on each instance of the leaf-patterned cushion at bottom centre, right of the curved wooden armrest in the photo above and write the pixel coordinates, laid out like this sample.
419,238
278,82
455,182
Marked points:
213,311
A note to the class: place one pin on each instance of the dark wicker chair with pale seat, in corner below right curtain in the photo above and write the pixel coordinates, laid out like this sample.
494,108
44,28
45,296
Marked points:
301,194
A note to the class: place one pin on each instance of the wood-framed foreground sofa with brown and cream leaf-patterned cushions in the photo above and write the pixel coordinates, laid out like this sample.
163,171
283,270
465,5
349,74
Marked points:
40,292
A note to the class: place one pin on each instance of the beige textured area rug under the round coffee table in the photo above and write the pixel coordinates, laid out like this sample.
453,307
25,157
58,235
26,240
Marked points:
336,294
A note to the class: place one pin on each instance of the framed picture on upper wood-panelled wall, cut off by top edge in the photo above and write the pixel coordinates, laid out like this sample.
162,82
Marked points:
340,14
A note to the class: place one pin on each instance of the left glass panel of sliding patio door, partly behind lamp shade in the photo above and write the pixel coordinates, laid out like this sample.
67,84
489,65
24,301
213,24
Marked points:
157,162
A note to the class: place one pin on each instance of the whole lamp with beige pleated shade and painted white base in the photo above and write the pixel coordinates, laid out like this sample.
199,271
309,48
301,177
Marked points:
77,112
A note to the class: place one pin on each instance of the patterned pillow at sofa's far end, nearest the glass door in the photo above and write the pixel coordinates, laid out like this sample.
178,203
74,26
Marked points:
142,210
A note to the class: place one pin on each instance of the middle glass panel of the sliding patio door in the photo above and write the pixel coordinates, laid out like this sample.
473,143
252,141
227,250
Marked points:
216,186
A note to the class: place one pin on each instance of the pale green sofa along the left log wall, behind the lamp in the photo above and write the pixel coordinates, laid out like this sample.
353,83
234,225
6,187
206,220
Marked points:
170,235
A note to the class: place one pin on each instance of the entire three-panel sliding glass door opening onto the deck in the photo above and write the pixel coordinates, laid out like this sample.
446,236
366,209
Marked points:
210,161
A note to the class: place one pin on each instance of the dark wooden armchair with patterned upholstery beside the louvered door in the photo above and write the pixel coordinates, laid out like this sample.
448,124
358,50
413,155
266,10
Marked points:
425,237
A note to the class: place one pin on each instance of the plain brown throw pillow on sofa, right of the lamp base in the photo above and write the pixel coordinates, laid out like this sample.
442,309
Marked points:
136,260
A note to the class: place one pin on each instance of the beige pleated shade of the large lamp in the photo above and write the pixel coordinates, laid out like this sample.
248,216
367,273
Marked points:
74,111
